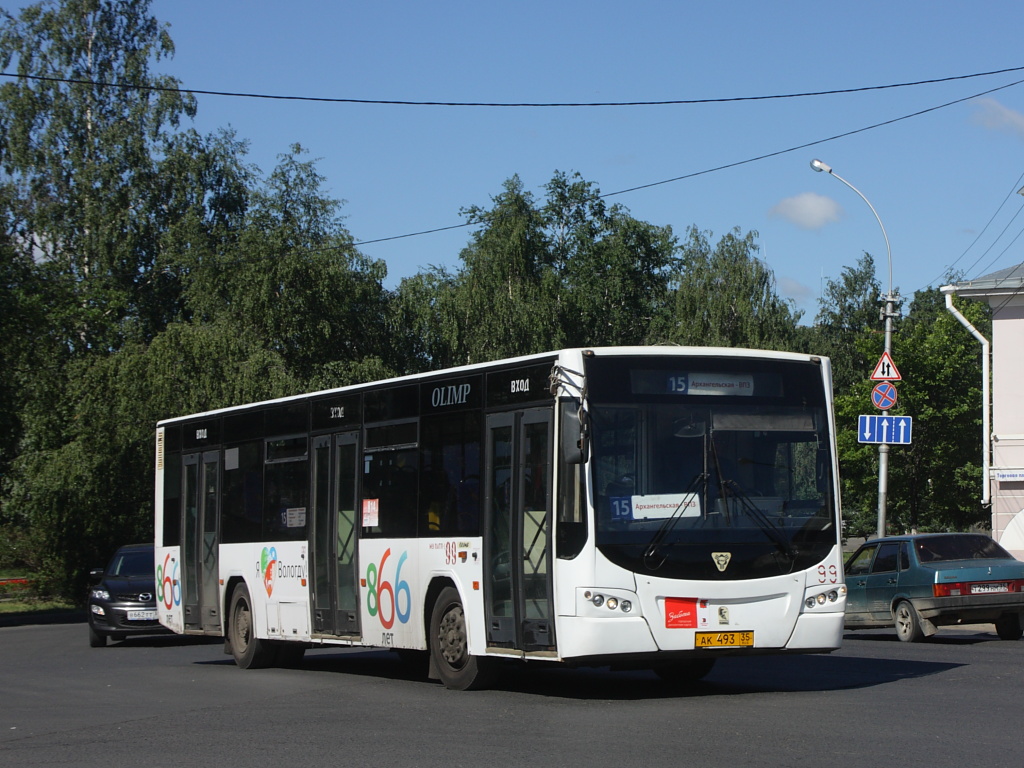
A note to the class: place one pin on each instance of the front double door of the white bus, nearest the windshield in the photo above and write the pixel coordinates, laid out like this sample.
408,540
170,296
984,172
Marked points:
518,544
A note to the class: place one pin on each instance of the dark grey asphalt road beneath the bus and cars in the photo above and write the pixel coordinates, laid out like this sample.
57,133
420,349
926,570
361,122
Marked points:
955,701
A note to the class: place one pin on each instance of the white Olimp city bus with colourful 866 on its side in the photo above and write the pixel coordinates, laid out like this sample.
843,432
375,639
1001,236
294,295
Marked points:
656,507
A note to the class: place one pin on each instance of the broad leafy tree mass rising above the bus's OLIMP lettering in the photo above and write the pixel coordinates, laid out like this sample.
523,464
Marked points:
571,272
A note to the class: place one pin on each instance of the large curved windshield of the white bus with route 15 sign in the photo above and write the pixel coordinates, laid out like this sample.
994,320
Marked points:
721,476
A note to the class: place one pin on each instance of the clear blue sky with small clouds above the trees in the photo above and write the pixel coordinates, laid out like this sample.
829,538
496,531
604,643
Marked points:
943,183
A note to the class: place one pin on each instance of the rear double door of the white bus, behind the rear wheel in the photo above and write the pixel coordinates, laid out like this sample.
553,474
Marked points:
201,492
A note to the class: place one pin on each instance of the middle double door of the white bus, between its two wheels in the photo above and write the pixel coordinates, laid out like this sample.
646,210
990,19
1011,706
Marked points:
335,607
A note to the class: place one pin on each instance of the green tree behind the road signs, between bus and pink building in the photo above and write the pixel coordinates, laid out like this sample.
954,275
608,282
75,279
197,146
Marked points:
935,483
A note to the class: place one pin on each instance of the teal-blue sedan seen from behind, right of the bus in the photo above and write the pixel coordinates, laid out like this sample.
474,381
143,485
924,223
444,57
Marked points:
920,583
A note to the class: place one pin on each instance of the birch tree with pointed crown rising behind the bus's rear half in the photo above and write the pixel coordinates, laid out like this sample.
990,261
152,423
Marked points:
293,278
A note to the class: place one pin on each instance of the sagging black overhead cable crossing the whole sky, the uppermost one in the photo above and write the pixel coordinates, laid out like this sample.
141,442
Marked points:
403,103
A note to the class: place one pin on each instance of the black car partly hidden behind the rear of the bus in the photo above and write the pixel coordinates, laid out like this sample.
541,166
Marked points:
123,600
